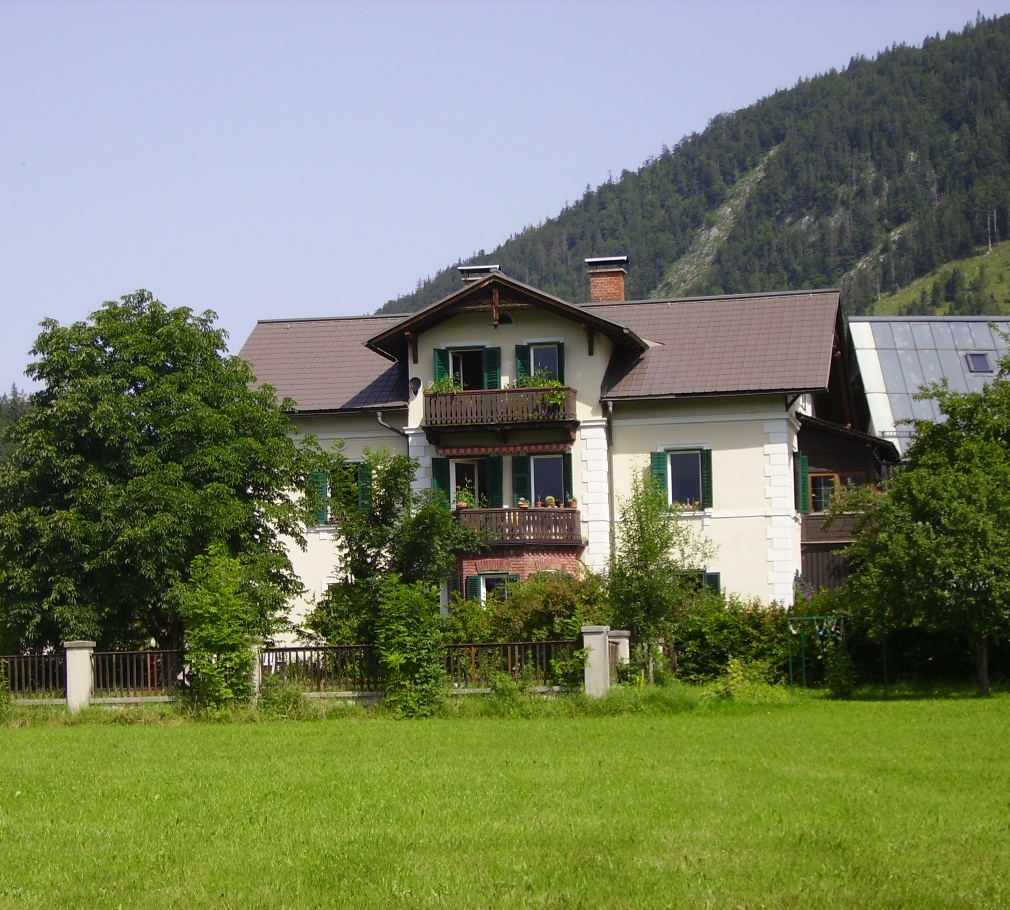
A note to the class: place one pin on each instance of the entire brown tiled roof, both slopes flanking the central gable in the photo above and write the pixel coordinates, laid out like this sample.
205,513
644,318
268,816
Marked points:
704,346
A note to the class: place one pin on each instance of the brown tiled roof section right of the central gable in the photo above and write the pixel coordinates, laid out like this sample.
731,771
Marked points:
725,346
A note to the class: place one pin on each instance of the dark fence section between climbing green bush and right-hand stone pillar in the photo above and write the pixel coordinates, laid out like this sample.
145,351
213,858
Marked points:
540,663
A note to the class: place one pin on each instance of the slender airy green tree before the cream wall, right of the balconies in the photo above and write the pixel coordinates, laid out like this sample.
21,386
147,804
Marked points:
655,567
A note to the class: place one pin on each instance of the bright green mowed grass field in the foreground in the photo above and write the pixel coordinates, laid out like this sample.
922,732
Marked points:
812,804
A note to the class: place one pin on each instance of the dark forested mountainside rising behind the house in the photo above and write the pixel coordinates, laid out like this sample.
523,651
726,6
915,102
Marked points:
865,179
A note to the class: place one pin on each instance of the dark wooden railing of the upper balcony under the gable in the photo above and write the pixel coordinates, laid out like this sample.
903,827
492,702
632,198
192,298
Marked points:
502,408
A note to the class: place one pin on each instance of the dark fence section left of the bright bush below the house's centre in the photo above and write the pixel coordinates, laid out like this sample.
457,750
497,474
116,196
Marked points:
332,669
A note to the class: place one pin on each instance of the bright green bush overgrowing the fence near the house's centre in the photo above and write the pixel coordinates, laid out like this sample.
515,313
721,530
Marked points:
412,650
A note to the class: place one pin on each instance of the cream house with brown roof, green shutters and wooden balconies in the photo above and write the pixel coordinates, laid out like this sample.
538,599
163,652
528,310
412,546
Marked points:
713,395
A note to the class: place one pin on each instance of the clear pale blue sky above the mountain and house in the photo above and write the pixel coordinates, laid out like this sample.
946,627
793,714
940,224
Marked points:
283,160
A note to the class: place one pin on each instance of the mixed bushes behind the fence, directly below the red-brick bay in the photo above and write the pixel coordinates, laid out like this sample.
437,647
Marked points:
549,606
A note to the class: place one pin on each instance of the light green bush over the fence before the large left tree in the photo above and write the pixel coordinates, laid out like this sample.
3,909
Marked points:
220,611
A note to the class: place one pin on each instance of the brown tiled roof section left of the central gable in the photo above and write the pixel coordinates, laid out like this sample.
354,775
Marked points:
324,364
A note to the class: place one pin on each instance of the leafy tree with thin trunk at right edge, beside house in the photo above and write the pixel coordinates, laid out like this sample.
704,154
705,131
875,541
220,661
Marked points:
936,543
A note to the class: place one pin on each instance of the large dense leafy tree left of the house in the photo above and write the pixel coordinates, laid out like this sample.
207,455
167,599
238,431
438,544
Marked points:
146,447
